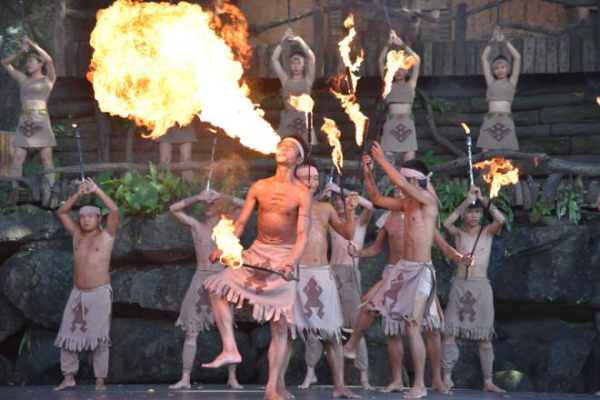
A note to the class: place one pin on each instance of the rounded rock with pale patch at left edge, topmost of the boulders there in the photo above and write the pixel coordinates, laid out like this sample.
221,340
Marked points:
28,224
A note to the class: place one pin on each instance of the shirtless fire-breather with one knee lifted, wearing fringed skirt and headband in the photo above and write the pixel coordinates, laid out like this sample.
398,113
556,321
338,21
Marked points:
283,205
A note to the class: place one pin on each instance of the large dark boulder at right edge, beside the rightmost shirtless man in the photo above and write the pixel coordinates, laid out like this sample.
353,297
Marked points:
550,265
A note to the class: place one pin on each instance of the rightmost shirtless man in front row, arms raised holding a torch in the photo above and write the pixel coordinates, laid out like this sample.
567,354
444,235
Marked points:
470,309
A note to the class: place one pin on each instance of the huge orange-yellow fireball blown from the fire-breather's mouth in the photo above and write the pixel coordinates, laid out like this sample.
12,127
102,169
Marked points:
160,64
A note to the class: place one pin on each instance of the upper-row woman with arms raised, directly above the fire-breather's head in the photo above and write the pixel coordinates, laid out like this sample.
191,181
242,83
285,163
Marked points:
302,69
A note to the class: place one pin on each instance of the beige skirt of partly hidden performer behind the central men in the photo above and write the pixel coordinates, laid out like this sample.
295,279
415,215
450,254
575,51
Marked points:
348,283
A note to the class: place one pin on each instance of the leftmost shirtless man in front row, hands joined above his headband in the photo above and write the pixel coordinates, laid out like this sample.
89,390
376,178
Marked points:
86,319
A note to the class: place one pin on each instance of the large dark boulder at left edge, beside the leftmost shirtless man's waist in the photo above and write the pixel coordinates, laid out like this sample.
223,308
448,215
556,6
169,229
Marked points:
38,283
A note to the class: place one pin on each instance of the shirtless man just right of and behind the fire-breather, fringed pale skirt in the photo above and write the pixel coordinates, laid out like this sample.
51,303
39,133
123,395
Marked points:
317,309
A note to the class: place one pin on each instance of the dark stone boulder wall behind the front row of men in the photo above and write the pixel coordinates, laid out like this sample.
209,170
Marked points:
547,304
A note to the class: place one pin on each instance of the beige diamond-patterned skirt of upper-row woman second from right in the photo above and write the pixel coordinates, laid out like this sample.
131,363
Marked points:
399,134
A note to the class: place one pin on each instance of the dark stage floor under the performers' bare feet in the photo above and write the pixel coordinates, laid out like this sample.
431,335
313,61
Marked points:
252,392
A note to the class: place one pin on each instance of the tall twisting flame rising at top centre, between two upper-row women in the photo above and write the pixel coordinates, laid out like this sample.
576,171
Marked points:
351,107
